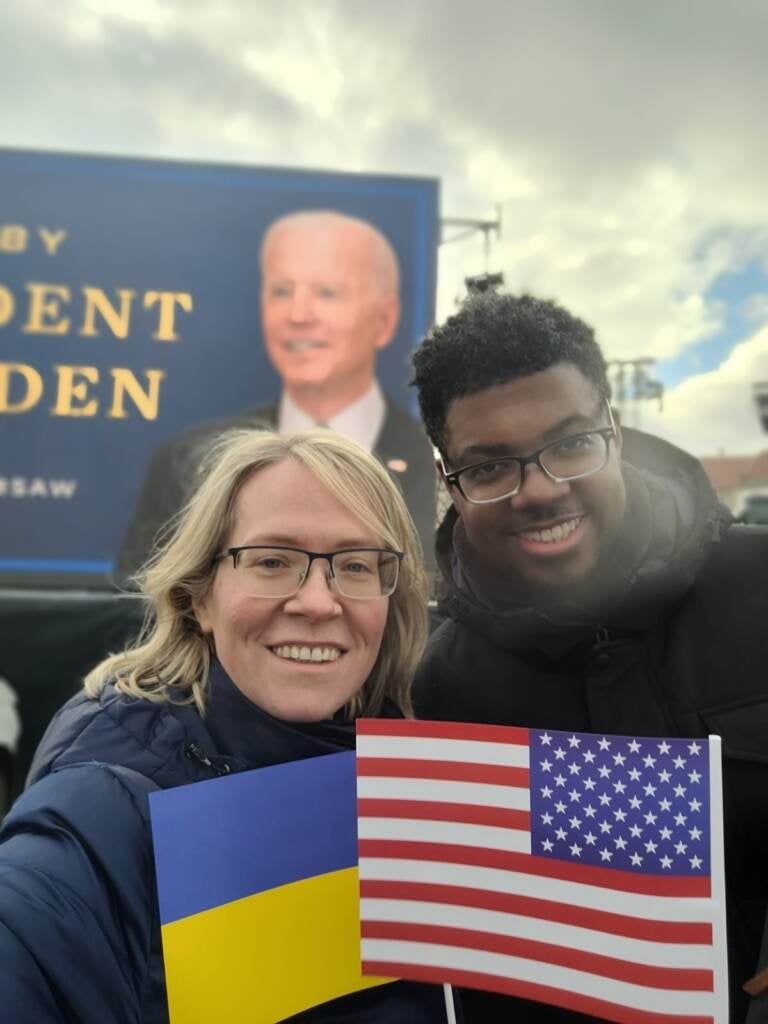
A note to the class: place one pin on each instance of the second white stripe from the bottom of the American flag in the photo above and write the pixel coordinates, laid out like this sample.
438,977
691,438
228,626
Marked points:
672,955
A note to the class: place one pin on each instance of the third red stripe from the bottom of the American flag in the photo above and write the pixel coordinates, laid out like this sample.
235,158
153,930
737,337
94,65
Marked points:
527,907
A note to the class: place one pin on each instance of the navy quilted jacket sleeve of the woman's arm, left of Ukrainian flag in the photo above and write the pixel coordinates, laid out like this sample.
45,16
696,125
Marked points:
78,912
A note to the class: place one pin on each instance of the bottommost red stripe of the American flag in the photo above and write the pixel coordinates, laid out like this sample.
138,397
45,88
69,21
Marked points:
528,991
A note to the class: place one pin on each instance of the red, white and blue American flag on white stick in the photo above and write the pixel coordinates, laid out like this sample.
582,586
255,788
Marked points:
576,870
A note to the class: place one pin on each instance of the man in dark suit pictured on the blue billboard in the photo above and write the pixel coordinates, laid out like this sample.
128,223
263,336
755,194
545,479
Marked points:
330,303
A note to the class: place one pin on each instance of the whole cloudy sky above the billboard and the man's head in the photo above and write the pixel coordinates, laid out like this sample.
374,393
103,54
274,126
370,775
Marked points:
623,145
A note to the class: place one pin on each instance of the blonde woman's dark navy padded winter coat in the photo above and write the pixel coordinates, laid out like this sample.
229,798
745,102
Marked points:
79,923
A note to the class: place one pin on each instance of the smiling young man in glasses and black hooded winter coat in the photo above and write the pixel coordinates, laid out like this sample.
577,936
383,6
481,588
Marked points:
591,581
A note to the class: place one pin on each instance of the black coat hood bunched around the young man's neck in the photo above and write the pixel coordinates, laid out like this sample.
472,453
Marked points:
672,521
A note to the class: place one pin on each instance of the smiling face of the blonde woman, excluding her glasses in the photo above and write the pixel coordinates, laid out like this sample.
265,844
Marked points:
257,638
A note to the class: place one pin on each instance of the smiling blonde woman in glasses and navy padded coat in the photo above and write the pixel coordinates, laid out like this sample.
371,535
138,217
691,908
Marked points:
288,601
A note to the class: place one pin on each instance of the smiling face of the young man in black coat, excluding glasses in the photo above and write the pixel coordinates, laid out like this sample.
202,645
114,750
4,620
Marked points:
519,418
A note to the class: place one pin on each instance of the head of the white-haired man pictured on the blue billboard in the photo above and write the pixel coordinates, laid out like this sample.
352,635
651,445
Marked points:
324,312
